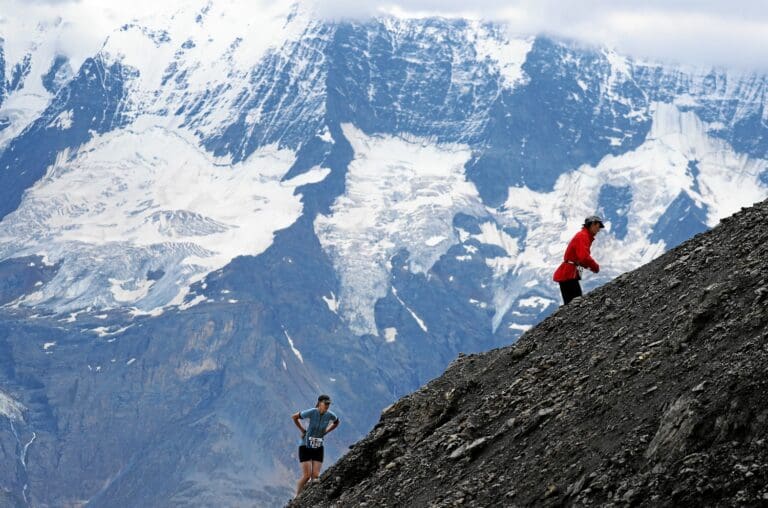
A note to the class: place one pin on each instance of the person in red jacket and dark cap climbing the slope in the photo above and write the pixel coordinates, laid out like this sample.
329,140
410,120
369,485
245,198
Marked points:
577,257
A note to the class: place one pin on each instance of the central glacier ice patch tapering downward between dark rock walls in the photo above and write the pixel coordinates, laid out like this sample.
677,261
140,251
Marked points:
398,192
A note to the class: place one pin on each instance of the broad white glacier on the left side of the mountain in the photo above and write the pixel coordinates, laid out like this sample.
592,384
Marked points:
178,210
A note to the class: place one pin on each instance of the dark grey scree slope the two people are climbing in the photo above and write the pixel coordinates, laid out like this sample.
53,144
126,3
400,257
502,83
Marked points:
649,391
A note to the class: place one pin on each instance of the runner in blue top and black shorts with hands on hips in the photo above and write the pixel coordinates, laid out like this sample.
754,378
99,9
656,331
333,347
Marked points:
321,422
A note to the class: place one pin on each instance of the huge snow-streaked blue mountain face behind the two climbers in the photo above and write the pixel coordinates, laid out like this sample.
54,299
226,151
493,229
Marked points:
210,220
